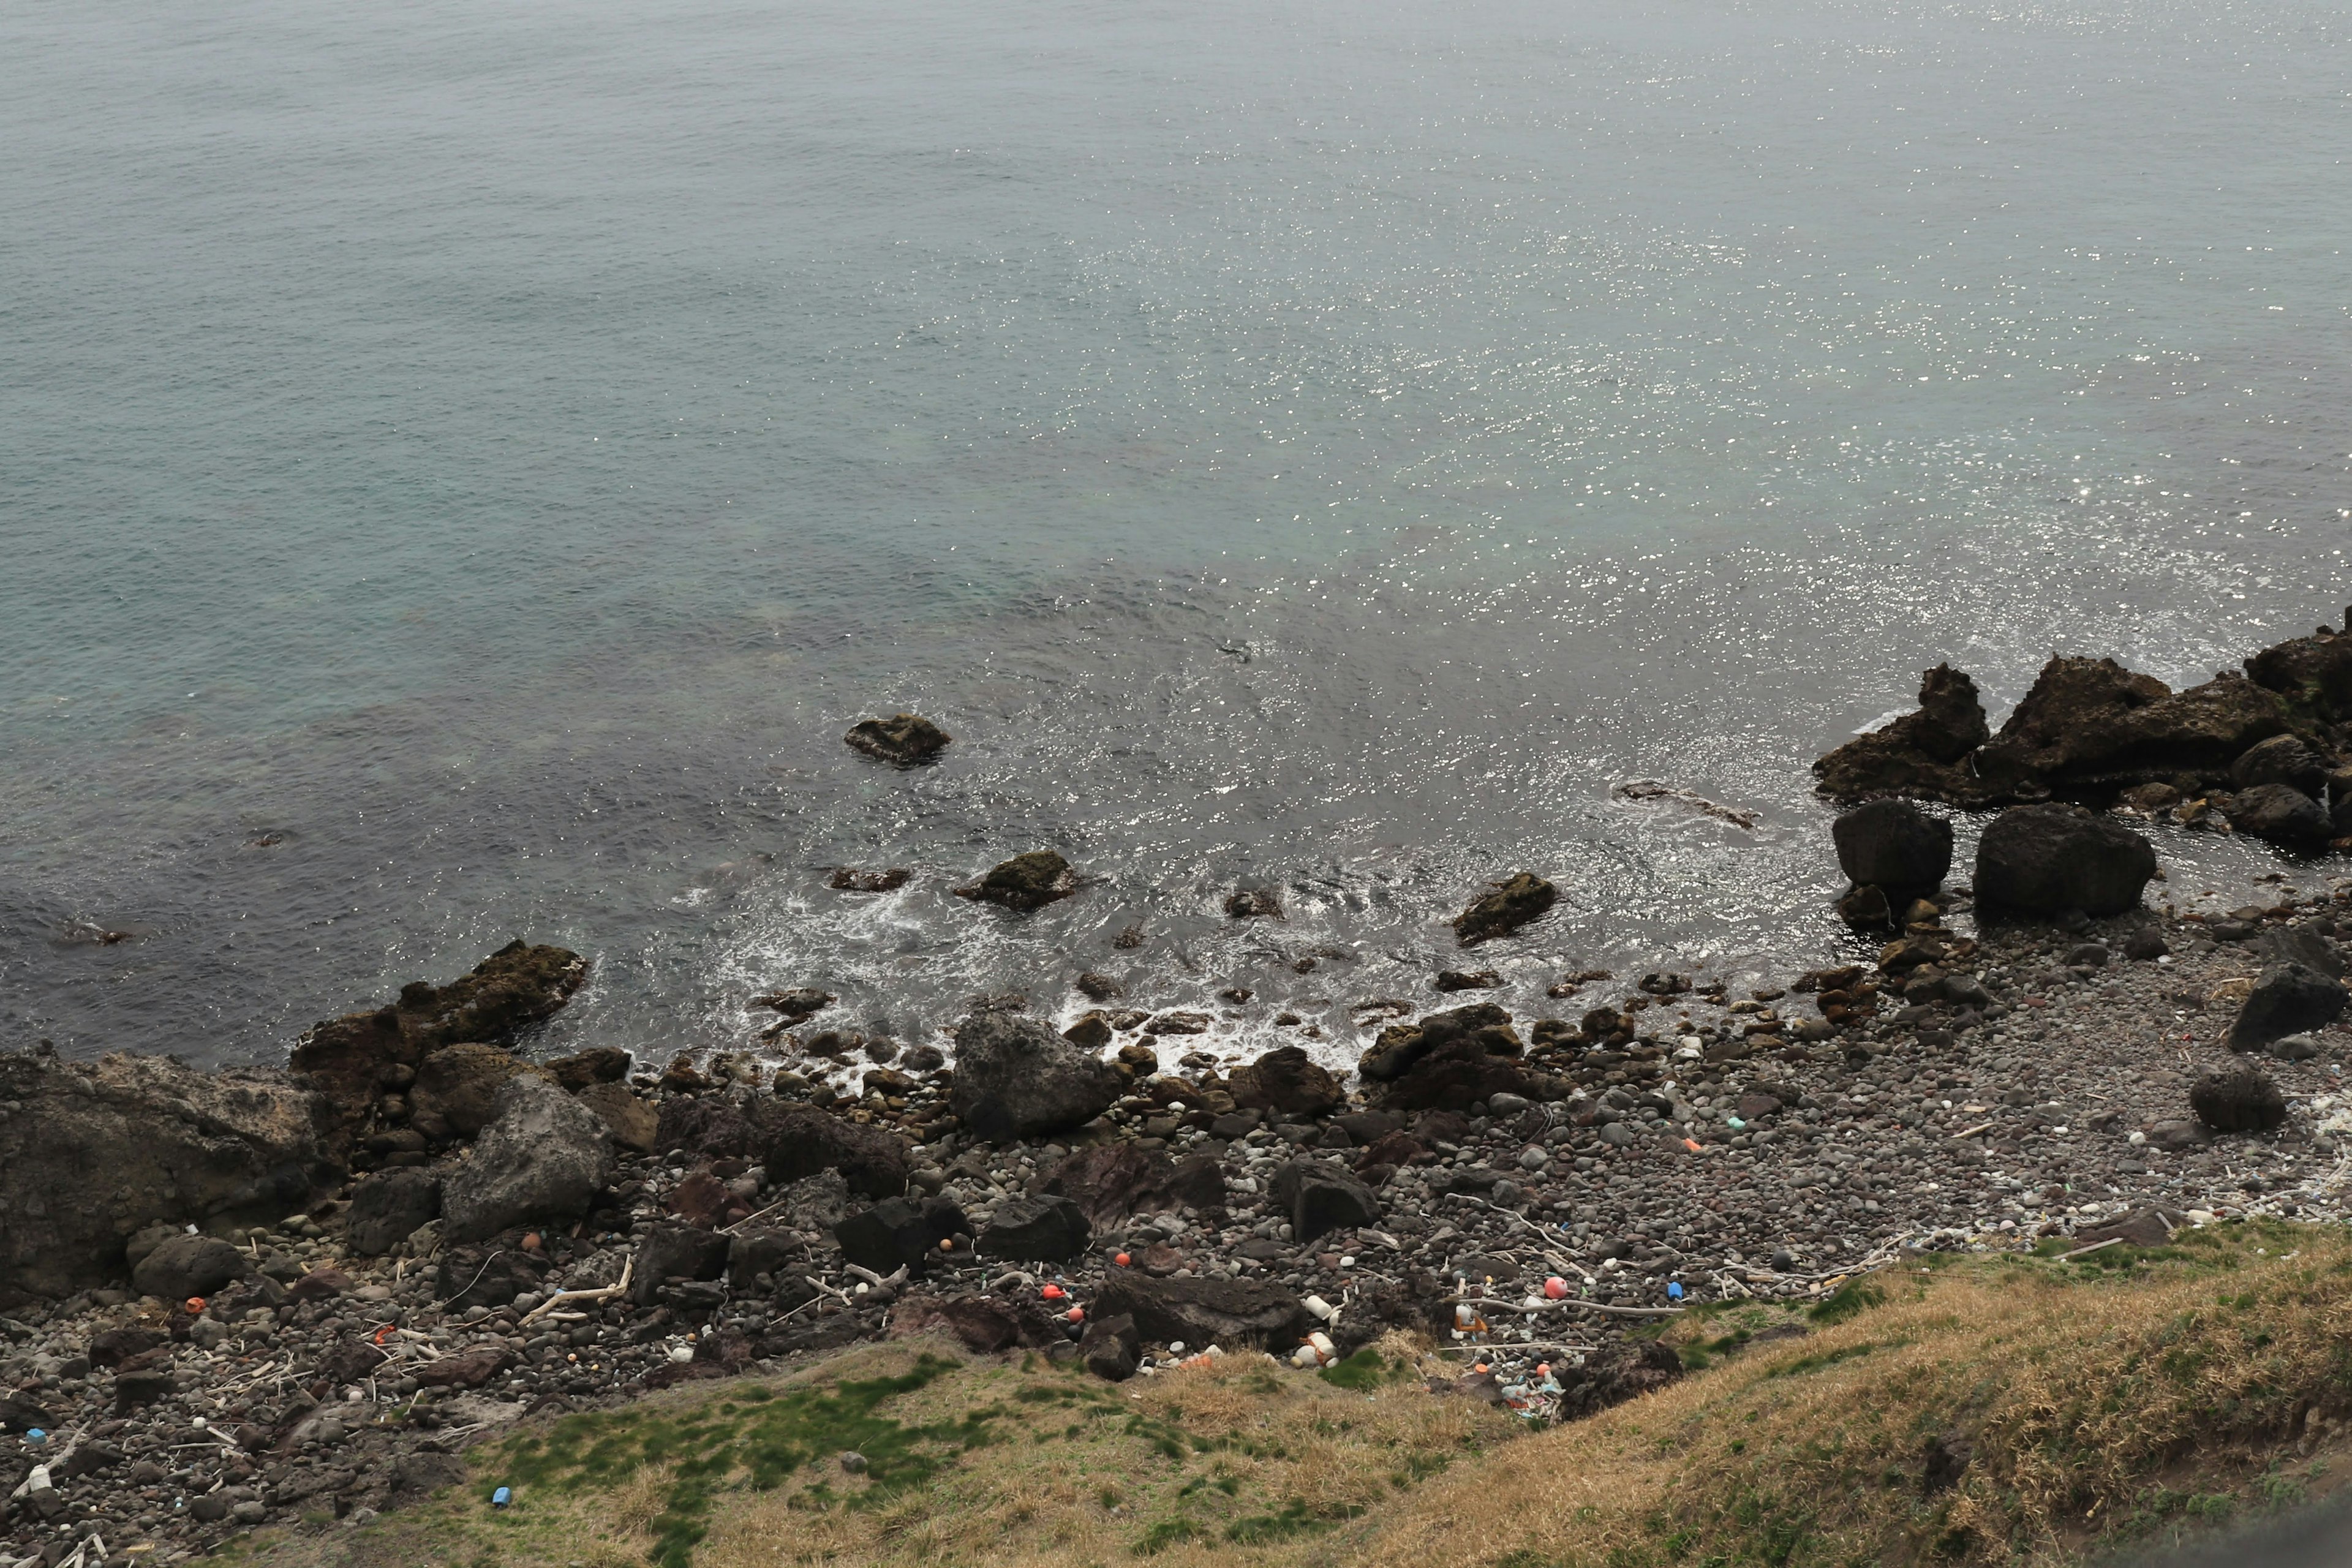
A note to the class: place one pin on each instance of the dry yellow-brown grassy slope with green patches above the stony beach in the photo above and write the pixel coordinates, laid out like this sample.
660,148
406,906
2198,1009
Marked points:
2106,1400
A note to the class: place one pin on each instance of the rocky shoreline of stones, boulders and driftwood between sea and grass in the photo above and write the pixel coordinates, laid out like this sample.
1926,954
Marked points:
290,1296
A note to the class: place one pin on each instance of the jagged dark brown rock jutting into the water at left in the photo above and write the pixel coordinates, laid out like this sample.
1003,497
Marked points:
356,1059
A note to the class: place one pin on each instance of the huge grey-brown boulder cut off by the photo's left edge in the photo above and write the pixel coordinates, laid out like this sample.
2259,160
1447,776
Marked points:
95,1153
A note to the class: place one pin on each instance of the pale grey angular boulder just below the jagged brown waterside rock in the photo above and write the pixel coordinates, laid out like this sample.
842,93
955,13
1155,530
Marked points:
542,1158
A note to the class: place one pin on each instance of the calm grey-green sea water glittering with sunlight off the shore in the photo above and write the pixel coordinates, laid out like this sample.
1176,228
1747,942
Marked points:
465,467
